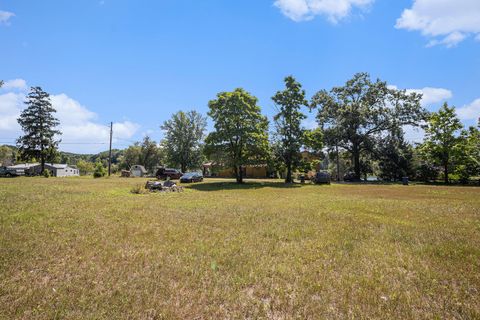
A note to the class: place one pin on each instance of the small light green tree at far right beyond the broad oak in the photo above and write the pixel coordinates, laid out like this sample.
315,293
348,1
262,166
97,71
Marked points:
440,146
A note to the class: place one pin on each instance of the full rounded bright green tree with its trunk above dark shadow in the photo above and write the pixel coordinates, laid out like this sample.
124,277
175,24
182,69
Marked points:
241,131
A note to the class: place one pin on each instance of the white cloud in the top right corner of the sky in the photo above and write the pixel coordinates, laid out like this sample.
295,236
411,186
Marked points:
445,22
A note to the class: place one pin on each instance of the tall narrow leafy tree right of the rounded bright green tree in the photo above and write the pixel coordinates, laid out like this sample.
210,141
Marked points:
288,123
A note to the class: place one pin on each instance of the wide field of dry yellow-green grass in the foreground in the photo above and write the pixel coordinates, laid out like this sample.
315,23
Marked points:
89,249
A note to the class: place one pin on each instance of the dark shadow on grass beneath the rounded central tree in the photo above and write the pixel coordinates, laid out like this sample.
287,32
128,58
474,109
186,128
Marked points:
227,185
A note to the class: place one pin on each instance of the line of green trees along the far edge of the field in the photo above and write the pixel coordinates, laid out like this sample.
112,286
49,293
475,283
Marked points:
360,132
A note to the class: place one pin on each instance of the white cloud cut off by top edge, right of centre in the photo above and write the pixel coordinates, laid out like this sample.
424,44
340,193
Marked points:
333,10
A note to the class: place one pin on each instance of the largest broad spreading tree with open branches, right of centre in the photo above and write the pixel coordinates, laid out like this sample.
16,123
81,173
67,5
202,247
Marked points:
354,115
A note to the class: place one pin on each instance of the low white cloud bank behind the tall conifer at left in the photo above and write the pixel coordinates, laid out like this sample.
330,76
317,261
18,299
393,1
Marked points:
77,123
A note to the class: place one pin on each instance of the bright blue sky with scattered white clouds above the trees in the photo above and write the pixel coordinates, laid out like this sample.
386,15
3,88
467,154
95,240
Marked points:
137,62
